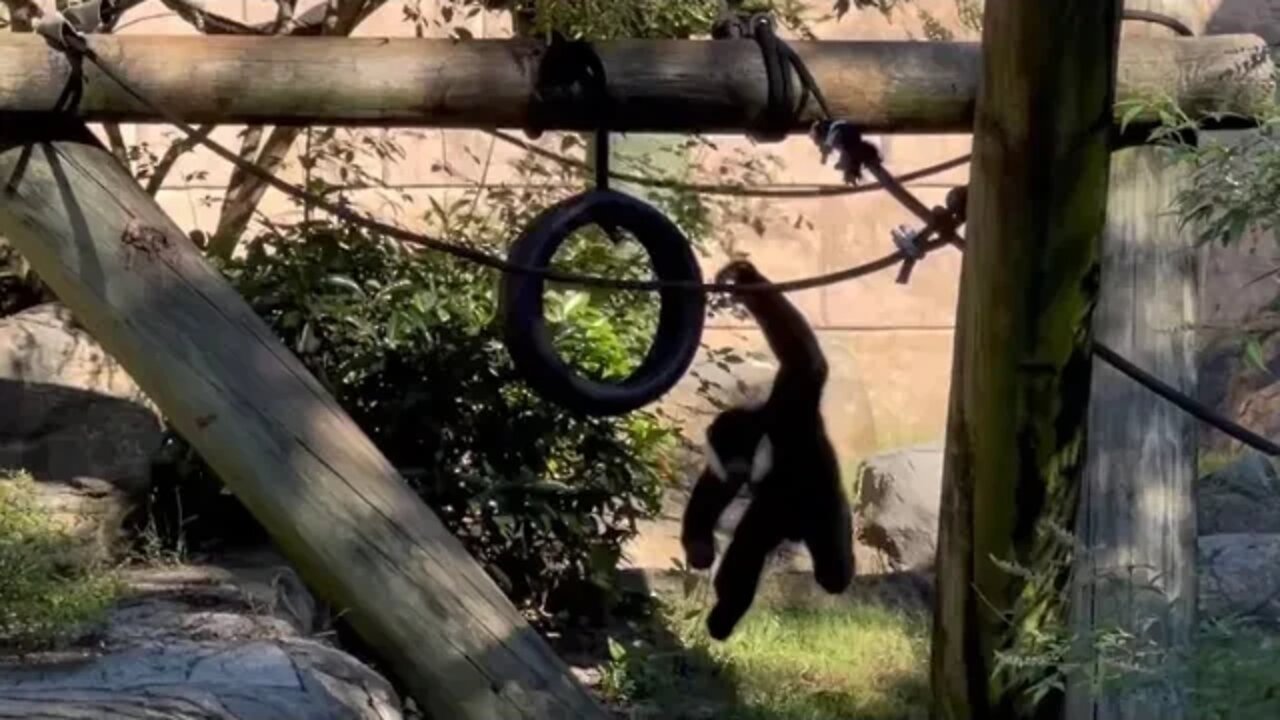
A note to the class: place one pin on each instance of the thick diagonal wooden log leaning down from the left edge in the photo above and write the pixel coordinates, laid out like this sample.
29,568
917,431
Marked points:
333,504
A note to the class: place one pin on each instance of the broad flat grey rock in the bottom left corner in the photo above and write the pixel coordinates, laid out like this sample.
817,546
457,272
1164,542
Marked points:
191,644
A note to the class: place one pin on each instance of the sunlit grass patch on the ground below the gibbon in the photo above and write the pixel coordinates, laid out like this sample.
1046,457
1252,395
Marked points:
781,664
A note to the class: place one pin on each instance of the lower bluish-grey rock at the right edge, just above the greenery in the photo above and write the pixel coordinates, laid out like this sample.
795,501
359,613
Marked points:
1240,576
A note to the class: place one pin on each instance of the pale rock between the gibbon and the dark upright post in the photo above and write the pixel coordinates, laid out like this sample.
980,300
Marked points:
897,508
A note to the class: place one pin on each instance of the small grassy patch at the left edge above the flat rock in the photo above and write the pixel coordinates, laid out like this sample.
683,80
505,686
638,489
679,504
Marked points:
49,593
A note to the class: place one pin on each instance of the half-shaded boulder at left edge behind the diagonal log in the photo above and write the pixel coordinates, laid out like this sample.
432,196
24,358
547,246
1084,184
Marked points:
76,421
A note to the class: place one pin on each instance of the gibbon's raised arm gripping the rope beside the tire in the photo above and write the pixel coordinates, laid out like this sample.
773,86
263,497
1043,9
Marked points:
788,332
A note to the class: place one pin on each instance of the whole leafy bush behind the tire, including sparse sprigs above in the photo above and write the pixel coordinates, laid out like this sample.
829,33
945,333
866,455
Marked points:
408,344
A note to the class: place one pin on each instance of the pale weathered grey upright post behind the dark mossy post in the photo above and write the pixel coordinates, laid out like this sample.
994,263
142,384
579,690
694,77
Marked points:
1136,571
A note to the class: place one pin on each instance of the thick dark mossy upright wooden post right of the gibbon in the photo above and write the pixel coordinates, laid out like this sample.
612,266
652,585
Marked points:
1020,394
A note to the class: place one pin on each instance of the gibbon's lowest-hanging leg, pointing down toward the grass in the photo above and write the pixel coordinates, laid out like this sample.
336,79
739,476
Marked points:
739,575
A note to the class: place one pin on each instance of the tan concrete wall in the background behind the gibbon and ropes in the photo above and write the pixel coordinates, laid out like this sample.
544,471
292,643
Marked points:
890,345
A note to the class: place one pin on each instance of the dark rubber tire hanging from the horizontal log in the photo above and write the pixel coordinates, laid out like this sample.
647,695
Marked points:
680,320
